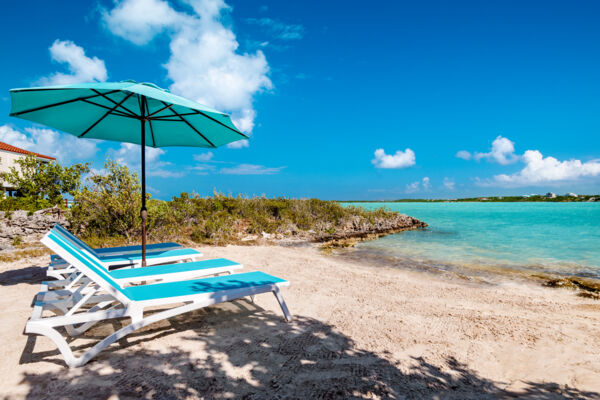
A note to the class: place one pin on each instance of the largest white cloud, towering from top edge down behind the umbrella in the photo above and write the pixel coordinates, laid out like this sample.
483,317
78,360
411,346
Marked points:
204,64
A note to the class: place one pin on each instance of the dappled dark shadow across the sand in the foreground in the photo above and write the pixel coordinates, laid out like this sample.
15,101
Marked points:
239,350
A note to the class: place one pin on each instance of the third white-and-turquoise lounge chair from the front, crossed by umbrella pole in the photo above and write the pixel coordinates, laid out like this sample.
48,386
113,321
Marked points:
60,269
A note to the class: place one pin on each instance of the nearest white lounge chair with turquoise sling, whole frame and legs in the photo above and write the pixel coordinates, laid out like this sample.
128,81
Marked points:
111,300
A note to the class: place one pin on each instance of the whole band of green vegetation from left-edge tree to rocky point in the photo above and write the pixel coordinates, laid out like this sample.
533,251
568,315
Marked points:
107,206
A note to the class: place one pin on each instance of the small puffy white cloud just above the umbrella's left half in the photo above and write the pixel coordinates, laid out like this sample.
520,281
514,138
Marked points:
81,67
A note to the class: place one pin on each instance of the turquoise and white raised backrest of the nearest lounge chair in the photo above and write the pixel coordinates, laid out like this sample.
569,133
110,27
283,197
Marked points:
88,264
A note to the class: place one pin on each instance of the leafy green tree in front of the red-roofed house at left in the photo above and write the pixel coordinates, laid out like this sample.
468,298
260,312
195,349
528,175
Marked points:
45,180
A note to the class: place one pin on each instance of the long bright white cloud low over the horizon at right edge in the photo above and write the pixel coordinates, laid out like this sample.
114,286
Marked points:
540,170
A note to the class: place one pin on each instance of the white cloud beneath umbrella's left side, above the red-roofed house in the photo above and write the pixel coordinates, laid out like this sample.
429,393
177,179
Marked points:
50,143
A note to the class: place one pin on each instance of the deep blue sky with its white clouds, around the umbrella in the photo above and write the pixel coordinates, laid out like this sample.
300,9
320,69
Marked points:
342,100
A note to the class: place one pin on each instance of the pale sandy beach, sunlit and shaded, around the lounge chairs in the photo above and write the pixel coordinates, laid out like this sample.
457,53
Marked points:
359,331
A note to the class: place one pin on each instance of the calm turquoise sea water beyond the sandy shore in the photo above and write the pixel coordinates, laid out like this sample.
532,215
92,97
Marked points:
561,238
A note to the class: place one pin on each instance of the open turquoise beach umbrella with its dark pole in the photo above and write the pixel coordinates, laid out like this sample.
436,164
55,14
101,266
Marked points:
127,111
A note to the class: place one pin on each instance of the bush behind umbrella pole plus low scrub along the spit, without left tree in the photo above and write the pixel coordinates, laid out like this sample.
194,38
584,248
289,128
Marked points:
107,211
